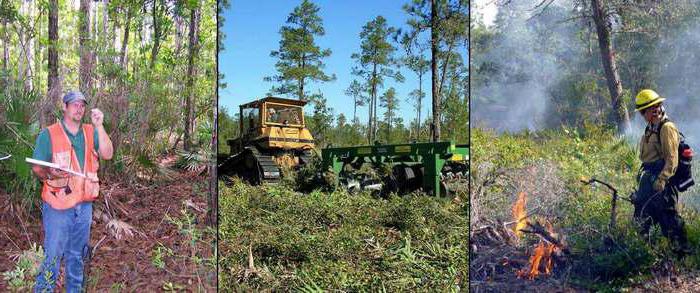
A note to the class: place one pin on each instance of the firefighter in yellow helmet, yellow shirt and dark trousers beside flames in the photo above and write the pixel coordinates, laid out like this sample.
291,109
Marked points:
655,201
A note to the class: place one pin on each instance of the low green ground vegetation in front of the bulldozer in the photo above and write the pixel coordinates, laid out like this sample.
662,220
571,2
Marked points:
336,241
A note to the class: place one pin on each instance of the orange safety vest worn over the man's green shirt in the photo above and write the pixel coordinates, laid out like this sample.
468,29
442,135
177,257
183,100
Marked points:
54,192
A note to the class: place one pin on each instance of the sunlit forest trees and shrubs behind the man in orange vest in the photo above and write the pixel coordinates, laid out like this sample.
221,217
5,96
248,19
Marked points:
148,64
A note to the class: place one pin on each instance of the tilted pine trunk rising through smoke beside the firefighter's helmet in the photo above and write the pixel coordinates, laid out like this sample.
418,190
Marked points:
620,115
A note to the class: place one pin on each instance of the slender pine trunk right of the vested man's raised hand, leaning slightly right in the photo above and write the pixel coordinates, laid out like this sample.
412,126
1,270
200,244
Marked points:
189,103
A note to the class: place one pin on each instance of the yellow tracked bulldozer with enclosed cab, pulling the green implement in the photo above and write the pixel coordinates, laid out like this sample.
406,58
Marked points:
273,135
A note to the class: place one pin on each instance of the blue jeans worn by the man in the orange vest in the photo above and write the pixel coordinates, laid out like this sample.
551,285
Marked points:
66,236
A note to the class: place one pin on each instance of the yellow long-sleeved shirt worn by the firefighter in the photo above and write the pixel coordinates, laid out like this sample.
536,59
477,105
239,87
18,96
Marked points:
653,147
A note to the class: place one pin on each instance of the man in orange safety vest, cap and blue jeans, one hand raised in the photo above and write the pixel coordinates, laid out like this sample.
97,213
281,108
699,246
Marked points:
67,198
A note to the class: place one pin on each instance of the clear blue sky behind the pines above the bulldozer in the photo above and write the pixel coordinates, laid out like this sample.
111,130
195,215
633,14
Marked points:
252,32
